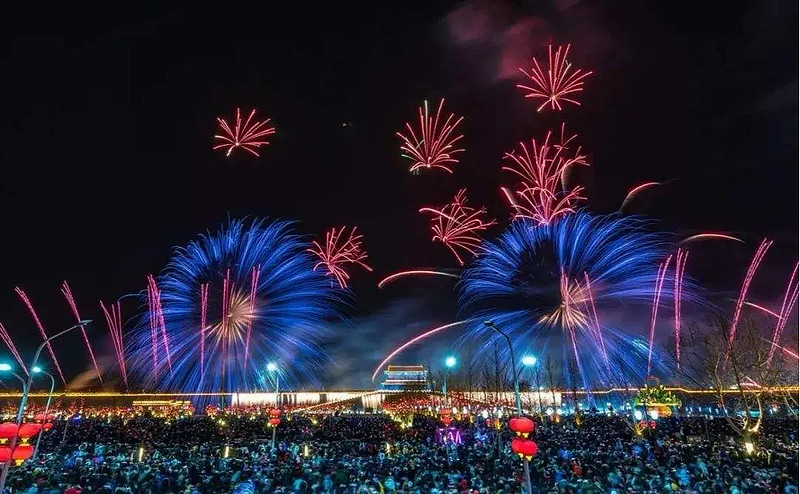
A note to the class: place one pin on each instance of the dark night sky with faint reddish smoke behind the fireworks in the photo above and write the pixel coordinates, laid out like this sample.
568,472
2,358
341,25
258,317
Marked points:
109,115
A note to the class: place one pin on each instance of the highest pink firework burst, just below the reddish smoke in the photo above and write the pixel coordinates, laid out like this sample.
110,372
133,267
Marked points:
555,84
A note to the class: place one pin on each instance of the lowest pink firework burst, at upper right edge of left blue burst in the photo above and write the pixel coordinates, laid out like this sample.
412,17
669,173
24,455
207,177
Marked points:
339,251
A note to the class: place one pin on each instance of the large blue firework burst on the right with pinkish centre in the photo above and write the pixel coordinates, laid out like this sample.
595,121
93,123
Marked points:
567,280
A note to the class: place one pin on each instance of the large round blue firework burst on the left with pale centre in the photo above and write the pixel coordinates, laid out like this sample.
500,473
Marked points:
228,303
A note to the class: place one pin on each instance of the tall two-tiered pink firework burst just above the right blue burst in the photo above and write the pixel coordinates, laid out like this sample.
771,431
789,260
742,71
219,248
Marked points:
542,194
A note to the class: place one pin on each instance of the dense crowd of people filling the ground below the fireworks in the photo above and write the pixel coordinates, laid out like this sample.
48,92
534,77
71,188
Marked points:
375,453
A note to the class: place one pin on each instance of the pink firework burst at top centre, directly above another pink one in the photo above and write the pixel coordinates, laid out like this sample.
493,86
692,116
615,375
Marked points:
432,145
